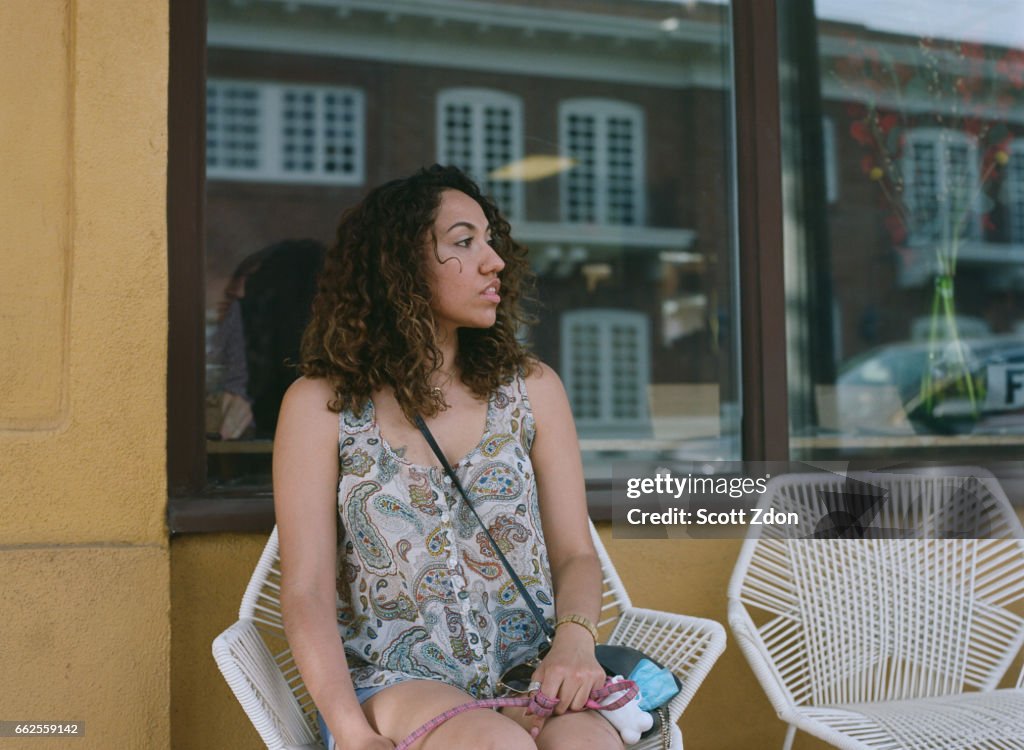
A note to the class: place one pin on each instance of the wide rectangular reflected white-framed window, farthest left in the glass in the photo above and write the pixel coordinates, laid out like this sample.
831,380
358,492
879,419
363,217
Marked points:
276,133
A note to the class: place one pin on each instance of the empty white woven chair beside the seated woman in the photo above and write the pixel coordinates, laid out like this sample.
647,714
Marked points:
891,636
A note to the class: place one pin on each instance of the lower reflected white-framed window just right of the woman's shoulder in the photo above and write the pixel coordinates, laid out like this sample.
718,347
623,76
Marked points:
606,365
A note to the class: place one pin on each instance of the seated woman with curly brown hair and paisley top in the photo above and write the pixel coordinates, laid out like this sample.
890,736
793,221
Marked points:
409,613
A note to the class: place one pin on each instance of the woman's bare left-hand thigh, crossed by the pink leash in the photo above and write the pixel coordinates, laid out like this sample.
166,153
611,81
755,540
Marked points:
400,711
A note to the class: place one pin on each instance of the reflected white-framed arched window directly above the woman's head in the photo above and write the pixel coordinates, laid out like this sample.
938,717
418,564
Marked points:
481,131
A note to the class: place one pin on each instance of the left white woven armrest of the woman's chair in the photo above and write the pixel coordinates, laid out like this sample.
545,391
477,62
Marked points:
254,677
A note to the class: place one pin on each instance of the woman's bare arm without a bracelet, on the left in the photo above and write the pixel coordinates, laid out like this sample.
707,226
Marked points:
306,481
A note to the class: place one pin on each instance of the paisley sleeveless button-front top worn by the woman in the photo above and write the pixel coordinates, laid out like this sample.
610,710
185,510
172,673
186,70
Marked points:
421,594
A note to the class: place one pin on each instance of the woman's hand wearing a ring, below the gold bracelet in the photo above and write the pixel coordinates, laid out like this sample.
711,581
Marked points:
570,672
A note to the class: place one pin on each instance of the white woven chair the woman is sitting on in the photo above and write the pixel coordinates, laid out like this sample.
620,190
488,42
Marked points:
254,657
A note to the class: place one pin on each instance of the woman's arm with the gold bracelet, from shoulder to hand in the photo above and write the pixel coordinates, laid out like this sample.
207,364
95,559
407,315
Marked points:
571,669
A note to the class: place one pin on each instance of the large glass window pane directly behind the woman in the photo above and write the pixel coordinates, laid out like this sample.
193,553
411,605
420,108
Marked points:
605,132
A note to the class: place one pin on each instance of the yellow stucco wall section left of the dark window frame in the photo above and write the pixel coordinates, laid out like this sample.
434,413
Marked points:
84,560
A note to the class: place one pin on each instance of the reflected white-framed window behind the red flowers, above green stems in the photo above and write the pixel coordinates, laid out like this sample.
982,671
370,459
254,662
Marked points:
941,173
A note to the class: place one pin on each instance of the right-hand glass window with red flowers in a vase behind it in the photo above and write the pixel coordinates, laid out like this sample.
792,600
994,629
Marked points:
906,294
